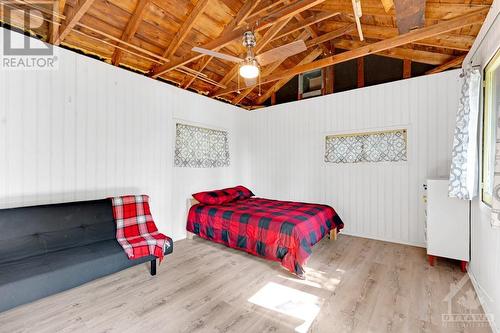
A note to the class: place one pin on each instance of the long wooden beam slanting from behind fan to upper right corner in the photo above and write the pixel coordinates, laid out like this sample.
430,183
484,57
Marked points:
429,31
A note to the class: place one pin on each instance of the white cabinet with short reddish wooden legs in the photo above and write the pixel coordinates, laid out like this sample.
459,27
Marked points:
447,224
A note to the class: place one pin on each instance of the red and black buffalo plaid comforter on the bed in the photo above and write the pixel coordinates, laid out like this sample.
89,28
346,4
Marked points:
278,230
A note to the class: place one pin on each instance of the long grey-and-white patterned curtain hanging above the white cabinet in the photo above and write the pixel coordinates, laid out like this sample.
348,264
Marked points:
464,157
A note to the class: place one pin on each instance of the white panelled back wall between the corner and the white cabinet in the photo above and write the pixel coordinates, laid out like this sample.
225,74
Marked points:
376,200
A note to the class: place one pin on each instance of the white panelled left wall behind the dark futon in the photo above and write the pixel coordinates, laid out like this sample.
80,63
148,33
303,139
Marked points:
90,130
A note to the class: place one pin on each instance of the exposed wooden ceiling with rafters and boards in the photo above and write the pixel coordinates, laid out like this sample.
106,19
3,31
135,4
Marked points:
155,37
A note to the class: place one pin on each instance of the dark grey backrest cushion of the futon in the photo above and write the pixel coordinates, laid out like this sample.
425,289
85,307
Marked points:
32,231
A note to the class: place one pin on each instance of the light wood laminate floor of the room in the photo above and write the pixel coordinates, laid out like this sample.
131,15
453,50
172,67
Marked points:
353,285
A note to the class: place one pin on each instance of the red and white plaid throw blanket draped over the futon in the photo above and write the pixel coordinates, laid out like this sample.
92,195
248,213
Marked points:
135,229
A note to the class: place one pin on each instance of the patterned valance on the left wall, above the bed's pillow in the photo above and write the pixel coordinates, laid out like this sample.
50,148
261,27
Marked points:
198,147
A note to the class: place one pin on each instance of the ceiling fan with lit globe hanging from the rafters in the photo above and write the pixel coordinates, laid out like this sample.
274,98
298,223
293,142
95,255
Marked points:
250,65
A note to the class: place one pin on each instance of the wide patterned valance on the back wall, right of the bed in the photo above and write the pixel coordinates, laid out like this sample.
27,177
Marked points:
381,146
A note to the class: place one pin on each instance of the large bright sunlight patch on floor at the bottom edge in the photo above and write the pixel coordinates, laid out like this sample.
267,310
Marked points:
289,301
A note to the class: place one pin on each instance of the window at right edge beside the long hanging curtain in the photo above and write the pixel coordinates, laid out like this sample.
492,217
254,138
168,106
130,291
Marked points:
490,110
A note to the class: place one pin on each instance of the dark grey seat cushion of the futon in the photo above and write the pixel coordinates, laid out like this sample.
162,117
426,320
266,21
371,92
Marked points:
39,276
